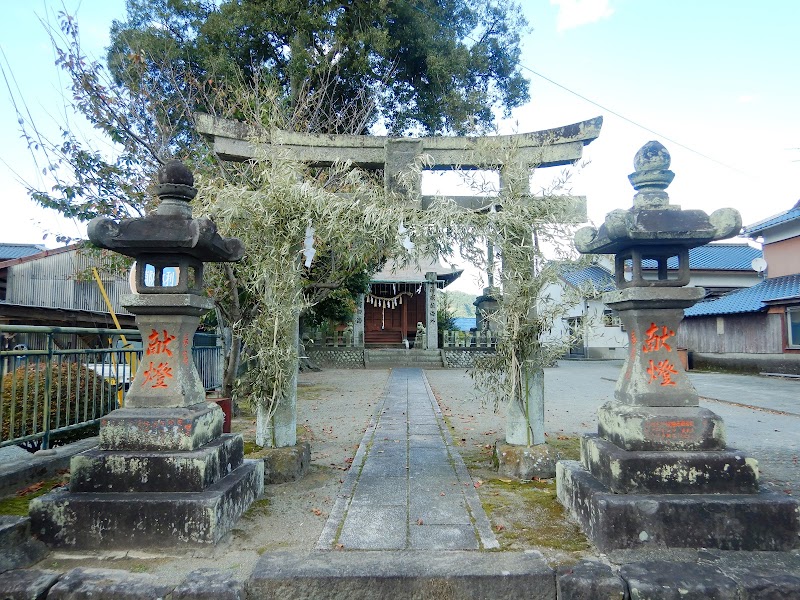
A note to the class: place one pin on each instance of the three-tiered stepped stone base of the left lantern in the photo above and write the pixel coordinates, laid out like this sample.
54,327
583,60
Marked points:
162,477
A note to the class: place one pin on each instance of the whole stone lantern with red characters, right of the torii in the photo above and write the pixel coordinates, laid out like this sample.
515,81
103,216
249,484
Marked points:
658,473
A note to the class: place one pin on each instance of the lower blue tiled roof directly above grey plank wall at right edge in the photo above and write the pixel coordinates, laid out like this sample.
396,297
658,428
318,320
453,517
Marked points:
749,300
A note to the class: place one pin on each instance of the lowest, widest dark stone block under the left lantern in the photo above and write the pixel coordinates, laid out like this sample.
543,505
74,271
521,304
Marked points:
146,520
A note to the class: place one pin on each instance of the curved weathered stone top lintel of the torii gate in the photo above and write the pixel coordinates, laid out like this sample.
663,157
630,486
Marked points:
233,141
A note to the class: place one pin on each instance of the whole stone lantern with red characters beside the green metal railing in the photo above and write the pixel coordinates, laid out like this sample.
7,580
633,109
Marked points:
164,474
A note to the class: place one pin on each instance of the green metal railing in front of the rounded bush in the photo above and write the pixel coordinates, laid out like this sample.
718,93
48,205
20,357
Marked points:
48,389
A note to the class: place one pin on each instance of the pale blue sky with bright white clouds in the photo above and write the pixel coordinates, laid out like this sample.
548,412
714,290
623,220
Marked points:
716,81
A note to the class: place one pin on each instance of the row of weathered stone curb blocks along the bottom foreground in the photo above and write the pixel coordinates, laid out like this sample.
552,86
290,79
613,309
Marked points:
441,575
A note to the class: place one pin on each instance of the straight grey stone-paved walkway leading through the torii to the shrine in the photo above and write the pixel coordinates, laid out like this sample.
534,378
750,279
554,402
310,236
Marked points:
407,489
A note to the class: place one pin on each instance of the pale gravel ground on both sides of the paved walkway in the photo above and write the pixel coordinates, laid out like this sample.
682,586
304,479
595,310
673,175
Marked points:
334,408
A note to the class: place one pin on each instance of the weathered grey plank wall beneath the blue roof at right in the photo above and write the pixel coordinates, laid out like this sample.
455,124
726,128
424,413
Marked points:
750,334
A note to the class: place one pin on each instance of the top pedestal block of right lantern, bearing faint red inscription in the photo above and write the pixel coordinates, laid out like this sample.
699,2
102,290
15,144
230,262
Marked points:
652,428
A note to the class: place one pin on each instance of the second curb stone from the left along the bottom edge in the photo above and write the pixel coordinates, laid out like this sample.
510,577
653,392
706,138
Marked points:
108,584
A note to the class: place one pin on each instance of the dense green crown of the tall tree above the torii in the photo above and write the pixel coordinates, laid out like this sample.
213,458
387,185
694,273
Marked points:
432,66
